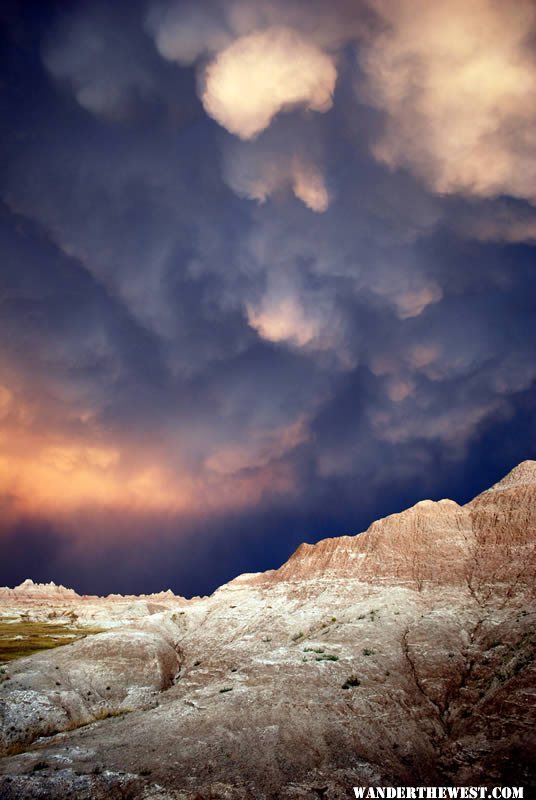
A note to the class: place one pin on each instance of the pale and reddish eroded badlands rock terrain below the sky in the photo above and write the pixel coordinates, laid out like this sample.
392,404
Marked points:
402,656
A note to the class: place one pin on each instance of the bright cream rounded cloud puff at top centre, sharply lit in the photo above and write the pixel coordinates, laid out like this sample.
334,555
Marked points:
263,73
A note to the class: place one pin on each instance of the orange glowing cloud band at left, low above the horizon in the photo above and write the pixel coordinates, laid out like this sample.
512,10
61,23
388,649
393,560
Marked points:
54,470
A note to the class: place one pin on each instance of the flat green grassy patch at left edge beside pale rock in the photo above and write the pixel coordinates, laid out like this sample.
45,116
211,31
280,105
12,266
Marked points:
19,639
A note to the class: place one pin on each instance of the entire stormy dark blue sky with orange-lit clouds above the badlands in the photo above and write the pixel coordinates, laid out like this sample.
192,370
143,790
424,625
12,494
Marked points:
267,273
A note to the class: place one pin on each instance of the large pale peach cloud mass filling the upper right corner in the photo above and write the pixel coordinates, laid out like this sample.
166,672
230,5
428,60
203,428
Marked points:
457,82
